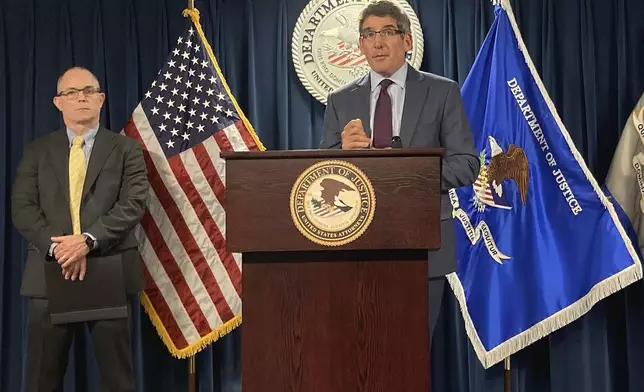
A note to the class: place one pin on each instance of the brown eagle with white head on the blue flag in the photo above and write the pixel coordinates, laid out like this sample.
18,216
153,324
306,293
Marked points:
510,165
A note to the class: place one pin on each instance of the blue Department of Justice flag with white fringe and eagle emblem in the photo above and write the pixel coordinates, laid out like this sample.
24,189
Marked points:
538,242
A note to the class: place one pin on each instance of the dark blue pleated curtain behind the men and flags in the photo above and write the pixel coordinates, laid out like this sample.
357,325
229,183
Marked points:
590,55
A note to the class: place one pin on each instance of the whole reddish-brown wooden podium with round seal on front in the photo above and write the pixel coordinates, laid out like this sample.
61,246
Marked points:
334,318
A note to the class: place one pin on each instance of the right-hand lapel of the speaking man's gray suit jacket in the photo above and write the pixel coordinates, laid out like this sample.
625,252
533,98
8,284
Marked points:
415,95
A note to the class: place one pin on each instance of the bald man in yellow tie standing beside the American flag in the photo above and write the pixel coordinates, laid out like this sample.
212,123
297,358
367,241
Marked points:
77,196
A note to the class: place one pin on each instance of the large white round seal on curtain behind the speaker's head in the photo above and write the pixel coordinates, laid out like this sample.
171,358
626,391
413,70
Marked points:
325,44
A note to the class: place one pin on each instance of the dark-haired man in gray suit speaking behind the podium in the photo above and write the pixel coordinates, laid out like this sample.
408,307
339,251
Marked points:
423,110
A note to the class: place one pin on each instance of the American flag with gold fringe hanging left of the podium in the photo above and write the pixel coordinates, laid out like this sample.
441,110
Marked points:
187,117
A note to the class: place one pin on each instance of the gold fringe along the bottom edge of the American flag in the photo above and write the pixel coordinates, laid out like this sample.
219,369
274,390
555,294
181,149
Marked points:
194,348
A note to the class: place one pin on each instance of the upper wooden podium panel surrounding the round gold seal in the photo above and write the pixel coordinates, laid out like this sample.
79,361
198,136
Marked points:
406,212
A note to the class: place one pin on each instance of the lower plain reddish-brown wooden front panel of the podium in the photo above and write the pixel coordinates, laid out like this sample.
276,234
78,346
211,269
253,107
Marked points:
338,321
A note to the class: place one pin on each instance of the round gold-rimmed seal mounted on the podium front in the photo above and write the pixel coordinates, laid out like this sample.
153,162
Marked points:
332,203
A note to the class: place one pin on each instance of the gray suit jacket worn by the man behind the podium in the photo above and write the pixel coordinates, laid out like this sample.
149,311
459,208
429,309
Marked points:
433,116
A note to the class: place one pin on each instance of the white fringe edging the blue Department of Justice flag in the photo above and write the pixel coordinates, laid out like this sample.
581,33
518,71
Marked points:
598,292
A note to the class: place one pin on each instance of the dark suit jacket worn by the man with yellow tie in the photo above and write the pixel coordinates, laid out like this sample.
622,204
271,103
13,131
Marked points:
113,202
